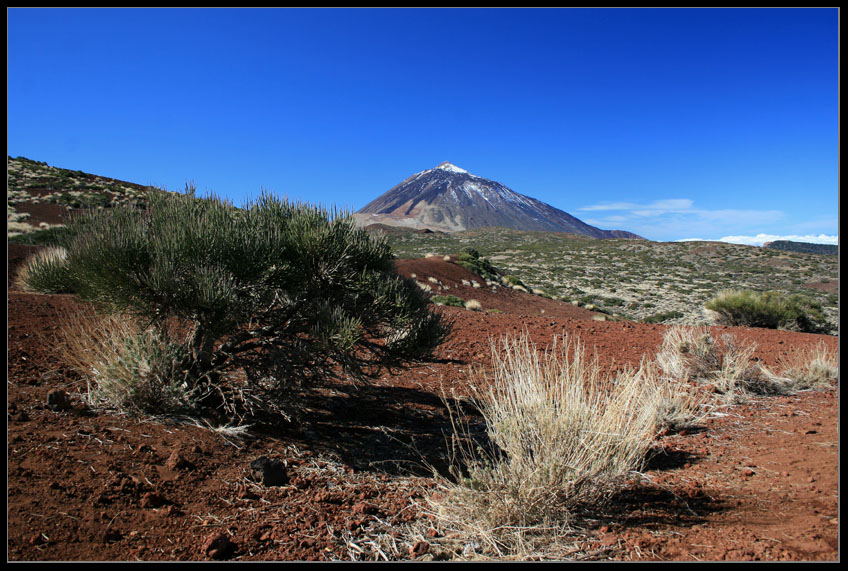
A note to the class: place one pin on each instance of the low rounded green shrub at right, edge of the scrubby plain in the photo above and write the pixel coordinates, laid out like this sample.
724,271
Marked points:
768,309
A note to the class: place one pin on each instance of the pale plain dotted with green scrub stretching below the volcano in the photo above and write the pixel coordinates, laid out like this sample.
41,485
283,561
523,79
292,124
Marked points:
640,280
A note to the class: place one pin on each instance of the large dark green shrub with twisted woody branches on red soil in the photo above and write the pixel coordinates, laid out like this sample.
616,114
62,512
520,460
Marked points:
278,292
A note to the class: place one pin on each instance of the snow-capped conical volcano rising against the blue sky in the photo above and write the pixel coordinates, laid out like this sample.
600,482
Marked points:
451,199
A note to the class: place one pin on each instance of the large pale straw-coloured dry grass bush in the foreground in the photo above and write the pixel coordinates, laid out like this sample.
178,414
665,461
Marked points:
558,434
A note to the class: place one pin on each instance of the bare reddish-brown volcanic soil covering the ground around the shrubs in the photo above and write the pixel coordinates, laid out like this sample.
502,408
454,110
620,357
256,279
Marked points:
759,482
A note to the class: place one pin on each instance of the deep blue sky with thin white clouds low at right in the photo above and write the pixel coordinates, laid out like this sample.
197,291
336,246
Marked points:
670,123
